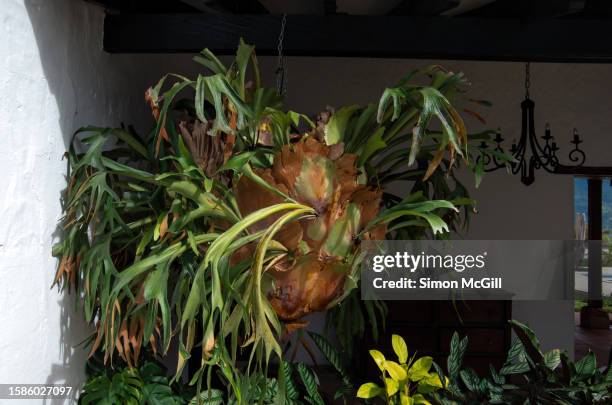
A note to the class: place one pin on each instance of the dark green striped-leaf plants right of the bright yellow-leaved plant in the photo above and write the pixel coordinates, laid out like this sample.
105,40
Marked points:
527,376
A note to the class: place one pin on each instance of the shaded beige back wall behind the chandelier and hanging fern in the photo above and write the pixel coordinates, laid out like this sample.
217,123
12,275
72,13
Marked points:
566,96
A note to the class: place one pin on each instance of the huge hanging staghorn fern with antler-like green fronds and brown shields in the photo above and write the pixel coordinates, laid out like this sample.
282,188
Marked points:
234,218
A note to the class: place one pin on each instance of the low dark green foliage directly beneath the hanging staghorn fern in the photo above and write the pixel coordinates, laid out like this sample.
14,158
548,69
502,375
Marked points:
149,383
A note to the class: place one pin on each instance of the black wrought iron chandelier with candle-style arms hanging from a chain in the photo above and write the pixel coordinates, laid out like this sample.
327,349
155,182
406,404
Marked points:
530,154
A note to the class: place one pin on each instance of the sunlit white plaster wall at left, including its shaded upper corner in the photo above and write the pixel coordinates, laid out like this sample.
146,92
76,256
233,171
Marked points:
54,78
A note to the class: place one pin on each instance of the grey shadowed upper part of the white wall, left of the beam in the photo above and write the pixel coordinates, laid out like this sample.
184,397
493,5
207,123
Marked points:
89,86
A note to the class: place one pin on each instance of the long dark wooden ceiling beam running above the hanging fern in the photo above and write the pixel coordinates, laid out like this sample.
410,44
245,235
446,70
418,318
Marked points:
546,40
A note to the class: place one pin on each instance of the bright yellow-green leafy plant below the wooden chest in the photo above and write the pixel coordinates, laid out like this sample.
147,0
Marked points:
408,381
